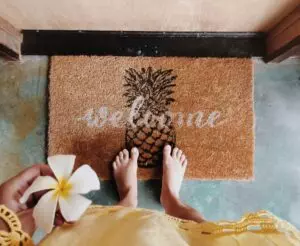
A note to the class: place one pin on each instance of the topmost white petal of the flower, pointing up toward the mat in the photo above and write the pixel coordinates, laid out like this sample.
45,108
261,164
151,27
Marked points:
62,165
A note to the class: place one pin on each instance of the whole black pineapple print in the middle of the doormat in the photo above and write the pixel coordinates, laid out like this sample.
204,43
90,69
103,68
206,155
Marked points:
149,92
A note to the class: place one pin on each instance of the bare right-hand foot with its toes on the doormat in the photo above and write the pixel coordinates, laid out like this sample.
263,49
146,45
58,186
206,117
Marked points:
174,165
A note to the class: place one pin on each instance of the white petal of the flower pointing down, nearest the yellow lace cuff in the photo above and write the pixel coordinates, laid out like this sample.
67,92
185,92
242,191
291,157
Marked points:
44,211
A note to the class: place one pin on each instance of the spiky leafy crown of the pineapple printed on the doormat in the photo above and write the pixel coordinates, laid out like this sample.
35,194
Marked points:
154,86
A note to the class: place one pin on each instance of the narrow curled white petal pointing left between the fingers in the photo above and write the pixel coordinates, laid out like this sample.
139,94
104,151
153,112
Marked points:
40,183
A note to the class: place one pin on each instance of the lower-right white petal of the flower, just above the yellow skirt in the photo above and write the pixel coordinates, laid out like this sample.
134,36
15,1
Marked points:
73,207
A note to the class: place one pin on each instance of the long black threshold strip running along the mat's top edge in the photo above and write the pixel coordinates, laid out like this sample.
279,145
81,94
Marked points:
118,43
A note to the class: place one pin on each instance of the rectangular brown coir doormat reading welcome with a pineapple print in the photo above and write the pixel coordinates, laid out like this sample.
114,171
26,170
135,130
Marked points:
100,105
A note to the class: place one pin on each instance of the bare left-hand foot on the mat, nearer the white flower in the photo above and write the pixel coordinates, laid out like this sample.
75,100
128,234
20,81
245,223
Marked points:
125,173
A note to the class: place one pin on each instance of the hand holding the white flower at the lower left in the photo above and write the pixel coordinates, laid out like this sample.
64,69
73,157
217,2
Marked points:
12,190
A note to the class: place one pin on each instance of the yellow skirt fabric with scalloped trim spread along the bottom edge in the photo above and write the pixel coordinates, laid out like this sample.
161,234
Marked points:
112,226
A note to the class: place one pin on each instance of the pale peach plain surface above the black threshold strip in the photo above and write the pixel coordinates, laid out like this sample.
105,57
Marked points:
154,15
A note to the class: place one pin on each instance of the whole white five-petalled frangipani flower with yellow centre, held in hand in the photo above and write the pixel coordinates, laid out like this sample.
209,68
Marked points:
65,190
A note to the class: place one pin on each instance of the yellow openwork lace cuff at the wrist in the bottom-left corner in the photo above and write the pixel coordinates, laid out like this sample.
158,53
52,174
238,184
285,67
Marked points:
15,236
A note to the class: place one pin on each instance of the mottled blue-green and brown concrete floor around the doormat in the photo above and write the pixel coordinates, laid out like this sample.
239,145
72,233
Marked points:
23,120
